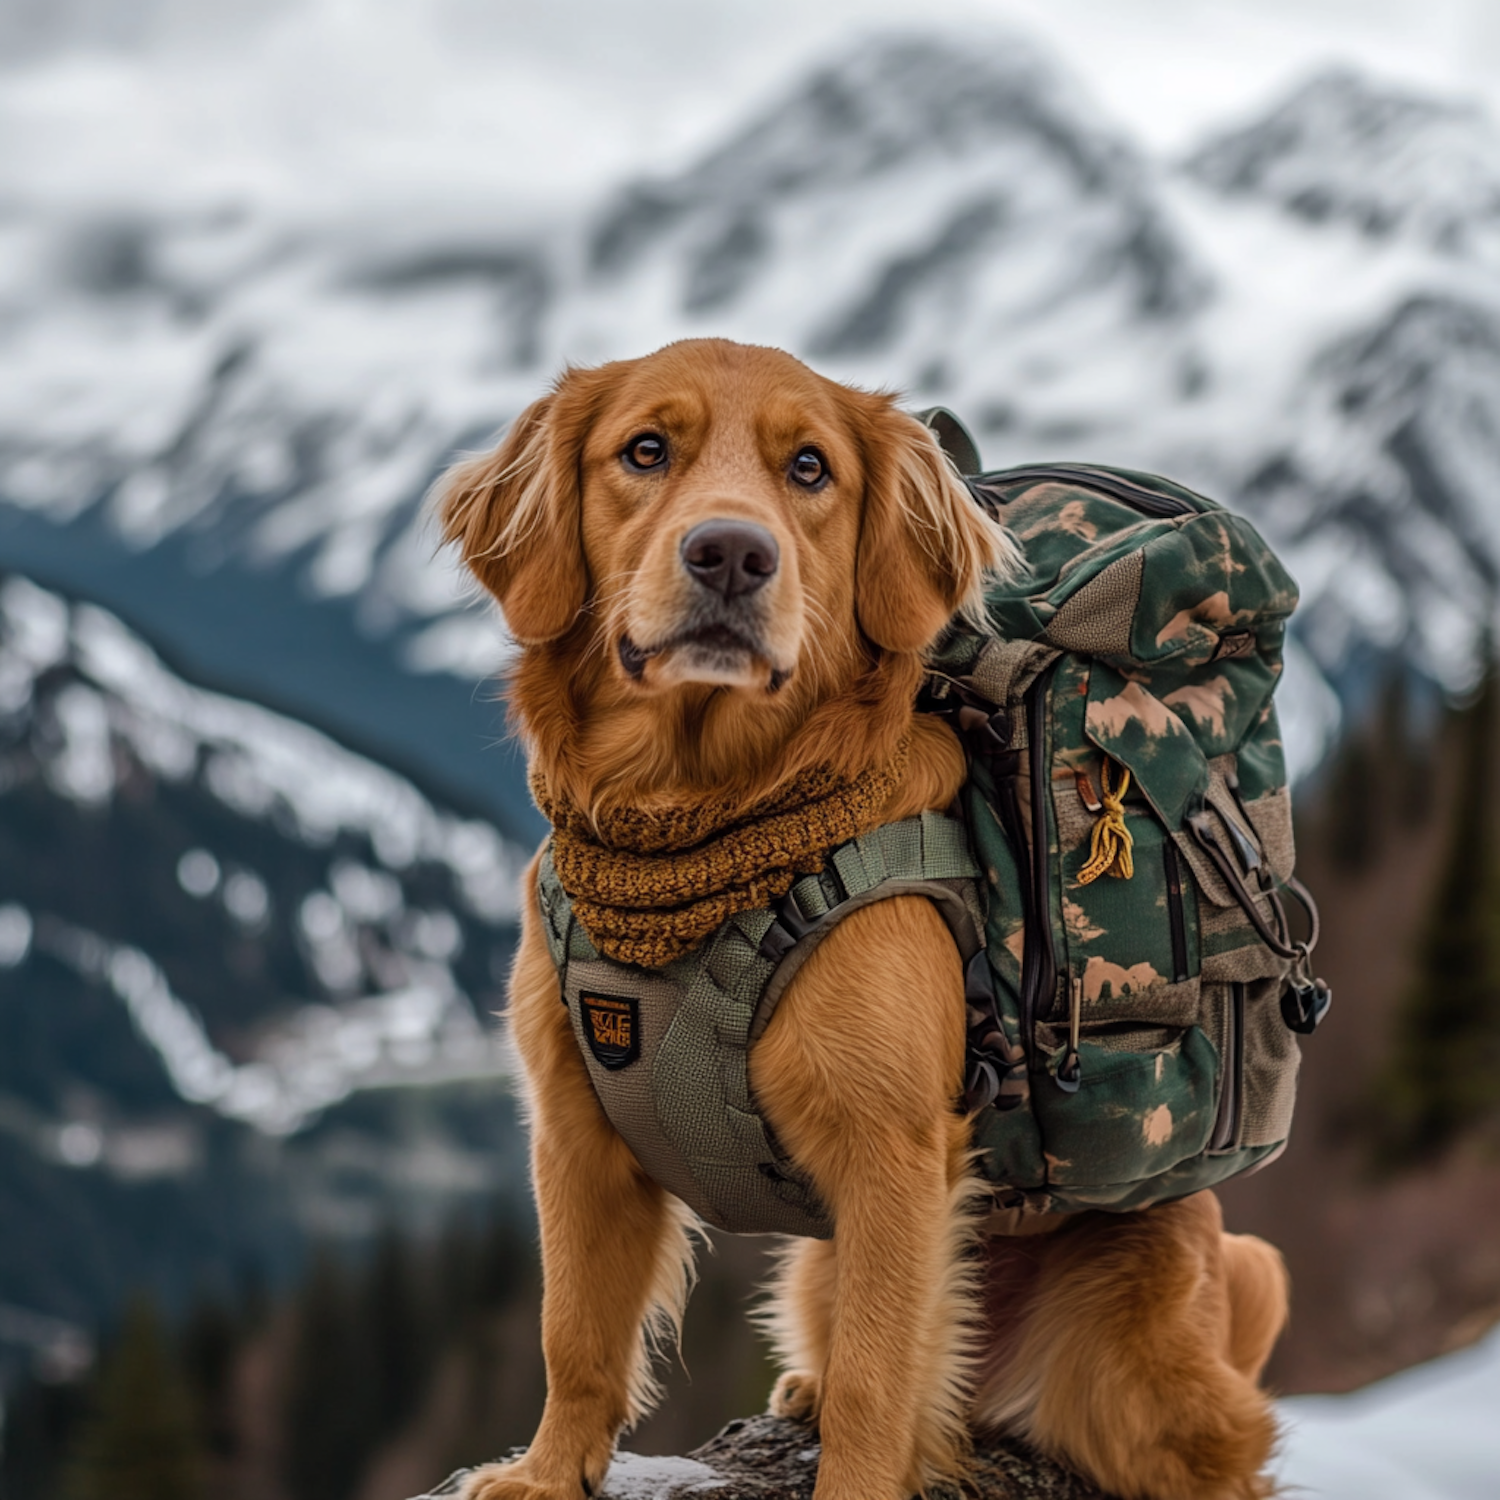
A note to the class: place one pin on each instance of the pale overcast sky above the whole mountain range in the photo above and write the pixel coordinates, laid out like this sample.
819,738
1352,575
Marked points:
551,100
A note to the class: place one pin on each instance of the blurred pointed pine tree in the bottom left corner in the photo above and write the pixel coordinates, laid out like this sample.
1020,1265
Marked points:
140,1441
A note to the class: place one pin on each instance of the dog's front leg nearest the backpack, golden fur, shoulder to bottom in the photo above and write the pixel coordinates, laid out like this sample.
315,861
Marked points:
857,1073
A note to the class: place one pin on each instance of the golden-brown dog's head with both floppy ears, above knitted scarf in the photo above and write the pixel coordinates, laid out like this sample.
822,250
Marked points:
719,517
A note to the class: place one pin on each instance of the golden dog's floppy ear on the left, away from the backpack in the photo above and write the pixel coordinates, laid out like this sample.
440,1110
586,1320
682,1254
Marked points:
517,515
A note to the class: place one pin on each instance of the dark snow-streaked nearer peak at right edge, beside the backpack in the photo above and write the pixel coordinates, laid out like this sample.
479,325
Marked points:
1384,490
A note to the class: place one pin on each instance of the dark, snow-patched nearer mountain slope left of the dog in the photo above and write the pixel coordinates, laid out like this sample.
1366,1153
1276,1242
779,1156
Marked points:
248,979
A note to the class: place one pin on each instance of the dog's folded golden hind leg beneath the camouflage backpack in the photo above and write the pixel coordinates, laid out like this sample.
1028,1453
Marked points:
1132,1369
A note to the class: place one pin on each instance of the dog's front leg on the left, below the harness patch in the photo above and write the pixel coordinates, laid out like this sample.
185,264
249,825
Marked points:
616,1256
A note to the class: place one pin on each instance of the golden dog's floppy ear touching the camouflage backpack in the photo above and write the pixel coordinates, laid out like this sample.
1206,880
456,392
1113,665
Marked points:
926,545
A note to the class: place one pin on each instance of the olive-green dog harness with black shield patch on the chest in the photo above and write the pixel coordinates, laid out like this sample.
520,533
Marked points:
668,1051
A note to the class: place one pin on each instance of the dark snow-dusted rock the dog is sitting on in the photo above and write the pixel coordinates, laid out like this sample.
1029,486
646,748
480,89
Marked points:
766,1459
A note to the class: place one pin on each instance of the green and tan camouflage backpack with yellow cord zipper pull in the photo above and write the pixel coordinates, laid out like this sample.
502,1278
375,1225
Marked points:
1132,1022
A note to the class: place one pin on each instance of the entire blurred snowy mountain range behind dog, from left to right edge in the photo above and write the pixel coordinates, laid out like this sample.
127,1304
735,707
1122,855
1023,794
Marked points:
223,422
